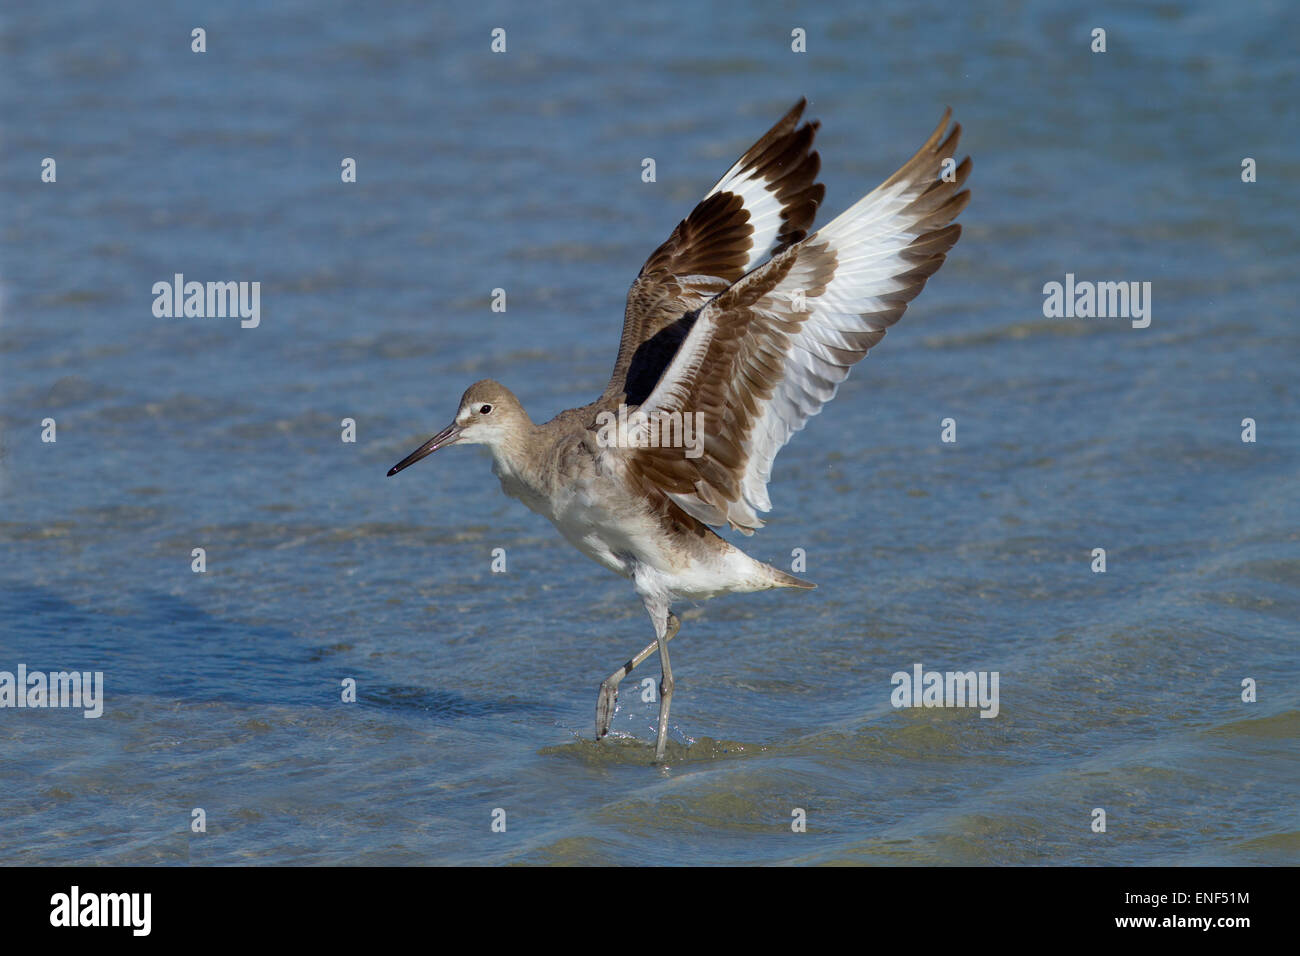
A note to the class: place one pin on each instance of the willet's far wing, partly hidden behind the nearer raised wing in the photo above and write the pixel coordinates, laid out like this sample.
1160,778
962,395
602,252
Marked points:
765,204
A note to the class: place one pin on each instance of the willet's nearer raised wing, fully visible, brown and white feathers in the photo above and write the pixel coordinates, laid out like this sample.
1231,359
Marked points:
766,354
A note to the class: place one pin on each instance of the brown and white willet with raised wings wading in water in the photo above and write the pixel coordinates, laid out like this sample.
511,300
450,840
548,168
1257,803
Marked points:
738,331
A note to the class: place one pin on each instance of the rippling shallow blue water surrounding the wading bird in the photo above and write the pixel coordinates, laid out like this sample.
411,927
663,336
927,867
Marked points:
523,171
